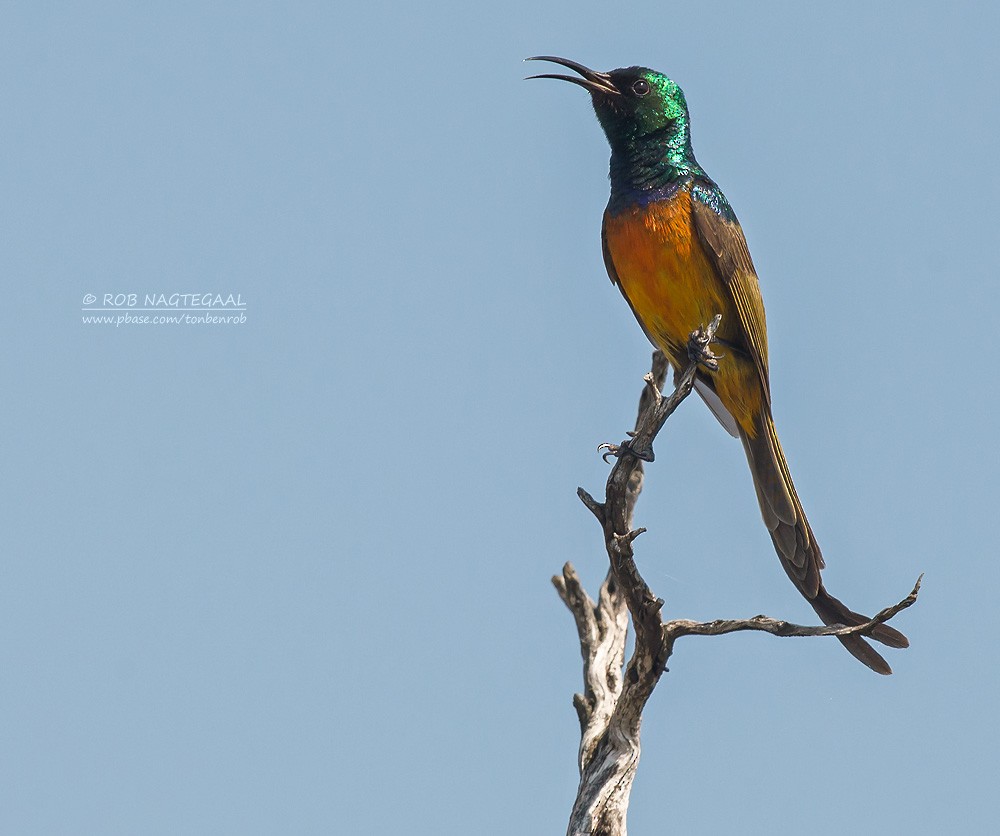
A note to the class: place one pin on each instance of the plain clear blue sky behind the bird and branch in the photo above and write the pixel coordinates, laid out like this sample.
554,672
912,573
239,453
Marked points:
292,575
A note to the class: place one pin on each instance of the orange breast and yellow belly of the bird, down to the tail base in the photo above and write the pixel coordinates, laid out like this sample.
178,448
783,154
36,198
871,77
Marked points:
673,288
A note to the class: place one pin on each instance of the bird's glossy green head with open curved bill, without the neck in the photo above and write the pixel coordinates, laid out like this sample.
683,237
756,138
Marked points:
633,104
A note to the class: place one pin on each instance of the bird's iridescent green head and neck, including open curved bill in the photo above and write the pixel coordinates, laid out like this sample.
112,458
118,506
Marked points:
644,115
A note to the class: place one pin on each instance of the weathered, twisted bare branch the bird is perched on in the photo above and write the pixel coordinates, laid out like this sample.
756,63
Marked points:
610,708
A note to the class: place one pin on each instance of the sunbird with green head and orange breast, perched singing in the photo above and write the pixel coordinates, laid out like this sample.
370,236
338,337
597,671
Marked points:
675,249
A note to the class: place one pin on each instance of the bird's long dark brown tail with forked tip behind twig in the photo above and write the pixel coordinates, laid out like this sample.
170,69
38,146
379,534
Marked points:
797,547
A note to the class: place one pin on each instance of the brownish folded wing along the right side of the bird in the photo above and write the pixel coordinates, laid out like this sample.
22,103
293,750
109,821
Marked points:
726,248
